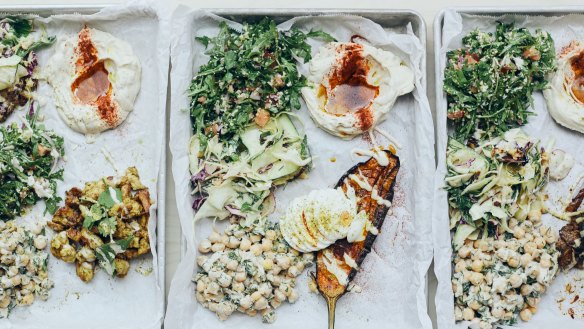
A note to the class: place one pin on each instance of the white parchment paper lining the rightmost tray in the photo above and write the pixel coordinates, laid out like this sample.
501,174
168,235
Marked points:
551,313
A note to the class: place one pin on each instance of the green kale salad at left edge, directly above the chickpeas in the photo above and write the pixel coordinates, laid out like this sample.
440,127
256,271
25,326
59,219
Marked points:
29,158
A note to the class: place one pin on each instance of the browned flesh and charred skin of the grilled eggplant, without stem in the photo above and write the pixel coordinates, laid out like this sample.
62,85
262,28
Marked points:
381,178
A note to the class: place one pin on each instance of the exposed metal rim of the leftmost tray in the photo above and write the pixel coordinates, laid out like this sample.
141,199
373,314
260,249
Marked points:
89,9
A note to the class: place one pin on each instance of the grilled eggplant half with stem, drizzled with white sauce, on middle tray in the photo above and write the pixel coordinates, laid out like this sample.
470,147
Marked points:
373,184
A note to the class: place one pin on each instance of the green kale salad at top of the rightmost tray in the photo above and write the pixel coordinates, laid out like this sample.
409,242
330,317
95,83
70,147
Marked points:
489,82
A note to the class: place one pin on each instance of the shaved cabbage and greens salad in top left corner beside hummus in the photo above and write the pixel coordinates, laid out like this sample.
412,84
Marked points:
18,62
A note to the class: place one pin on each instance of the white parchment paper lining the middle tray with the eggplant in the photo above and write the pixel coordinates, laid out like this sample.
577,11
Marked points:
393,275
